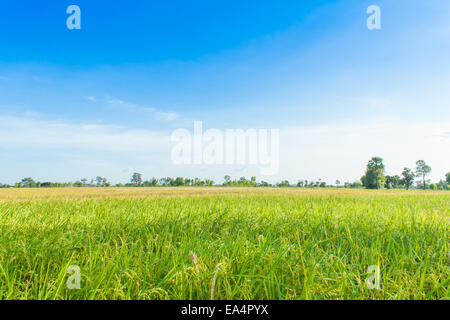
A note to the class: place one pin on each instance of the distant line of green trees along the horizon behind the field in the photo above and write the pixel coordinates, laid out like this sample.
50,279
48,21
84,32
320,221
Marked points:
374,178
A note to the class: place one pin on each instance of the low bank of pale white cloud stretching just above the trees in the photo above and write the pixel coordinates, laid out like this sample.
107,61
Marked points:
326,152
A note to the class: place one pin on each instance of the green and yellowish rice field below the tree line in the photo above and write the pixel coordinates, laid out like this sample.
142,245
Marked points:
261,243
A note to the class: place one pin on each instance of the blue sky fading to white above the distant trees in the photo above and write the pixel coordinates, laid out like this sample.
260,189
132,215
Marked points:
104,99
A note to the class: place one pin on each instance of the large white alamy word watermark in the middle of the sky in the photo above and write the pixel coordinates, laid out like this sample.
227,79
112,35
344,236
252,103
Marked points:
228,147
